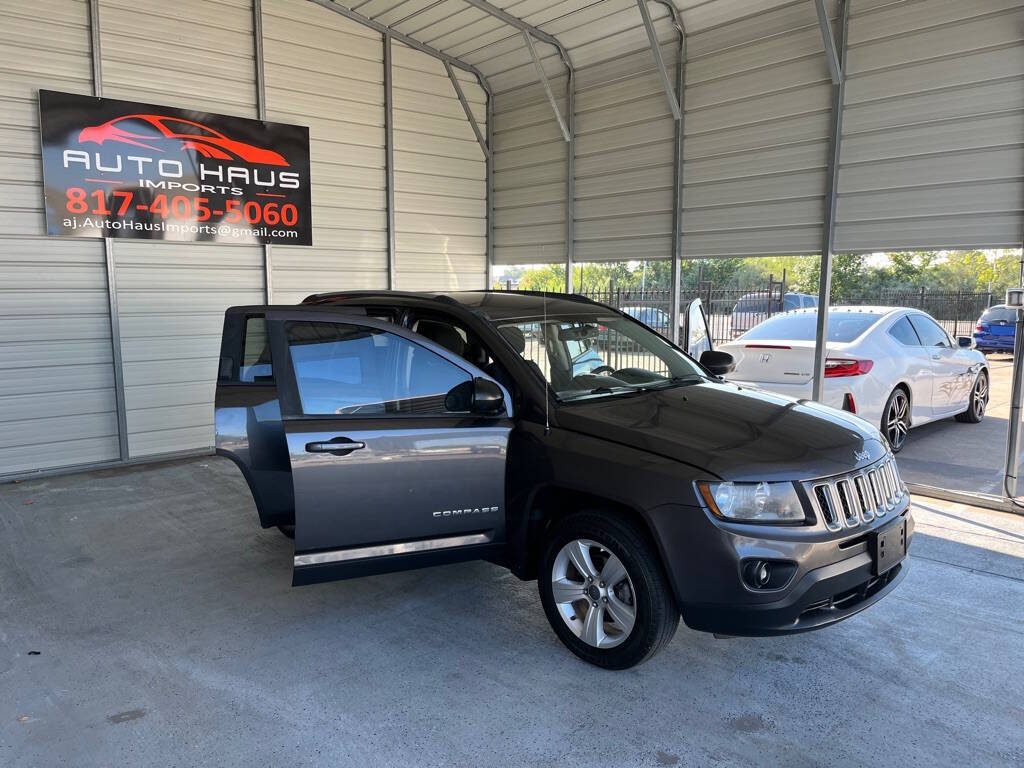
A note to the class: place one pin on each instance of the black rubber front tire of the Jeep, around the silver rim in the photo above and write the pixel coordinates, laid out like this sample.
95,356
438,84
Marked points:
657,615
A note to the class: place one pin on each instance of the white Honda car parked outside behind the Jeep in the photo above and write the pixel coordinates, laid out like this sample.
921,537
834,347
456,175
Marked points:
895,368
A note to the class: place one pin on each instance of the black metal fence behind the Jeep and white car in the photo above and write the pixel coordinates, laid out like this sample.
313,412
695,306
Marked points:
733,311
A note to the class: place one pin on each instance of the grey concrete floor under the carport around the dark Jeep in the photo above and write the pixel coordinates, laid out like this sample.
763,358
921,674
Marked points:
147,620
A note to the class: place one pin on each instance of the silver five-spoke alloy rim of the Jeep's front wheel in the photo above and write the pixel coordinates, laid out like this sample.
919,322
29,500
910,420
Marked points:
593,593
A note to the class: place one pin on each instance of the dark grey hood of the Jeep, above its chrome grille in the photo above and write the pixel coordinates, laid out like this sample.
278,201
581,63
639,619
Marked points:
734,433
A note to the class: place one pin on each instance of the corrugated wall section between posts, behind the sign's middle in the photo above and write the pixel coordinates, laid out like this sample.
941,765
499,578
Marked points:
172,297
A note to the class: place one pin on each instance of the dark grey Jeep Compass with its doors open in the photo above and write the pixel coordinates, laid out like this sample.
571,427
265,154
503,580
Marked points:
399,431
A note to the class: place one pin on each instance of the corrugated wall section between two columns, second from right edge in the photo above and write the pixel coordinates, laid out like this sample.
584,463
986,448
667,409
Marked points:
757,137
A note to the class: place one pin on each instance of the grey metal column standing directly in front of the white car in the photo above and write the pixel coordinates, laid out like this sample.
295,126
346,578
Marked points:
838,70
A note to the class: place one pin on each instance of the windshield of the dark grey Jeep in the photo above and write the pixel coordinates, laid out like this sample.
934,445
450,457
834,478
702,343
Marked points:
599,356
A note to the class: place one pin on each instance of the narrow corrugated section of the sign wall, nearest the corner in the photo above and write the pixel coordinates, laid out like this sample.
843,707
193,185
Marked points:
441,177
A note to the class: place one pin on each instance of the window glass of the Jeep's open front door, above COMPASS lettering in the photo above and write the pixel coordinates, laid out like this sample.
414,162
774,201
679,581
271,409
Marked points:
343,369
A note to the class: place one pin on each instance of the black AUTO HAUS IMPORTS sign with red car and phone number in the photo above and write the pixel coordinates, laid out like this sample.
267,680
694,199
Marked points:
122,169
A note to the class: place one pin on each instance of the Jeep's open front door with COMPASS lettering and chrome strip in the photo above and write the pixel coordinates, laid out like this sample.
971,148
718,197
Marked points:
397,446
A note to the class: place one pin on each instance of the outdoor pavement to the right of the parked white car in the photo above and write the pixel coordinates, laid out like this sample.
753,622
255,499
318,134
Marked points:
964,457
